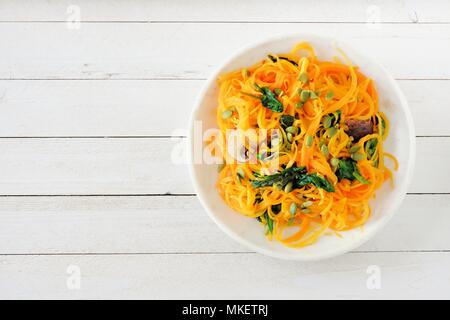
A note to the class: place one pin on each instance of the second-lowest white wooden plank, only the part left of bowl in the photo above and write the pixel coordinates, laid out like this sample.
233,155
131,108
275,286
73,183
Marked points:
108,224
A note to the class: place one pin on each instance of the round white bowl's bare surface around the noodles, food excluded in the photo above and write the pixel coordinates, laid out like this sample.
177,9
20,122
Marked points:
401,143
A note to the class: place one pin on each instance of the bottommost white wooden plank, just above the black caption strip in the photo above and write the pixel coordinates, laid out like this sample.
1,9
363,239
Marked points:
236,276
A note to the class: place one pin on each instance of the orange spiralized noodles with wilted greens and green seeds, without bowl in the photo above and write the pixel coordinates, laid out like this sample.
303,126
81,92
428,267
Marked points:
307,145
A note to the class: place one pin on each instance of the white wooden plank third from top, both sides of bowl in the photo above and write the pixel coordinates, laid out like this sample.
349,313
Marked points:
143,108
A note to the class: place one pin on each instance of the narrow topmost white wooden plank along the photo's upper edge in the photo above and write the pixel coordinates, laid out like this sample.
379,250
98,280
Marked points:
232,10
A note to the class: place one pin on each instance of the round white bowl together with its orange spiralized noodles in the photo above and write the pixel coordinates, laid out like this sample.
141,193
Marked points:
301,148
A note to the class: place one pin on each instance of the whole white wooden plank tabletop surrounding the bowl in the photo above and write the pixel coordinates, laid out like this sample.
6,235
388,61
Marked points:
91,205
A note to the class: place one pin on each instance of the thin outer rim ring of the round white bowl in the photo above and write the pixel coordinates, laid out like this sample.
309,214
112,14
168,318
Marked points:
408,172
